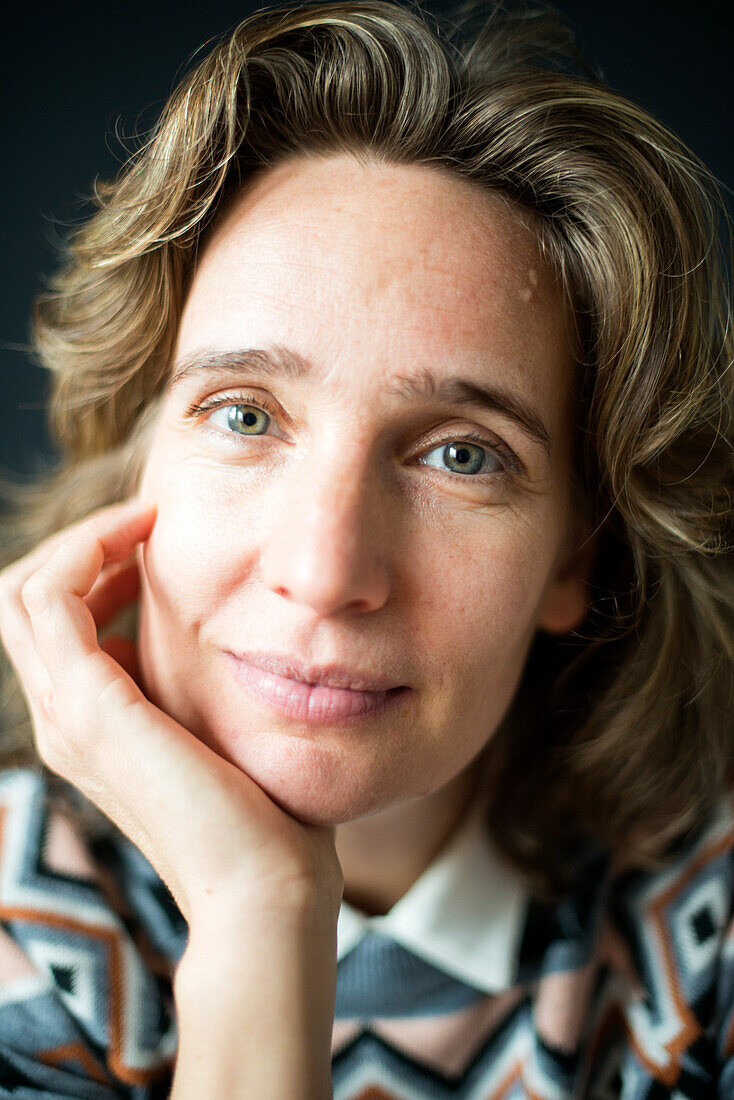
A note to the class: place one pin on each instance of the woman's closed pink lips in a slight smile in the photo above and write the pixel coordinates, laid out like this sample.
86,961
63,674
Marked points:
299,697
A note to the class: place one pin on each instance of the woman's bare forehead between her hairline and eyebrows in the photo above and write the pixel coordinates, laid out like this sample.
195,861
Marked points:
378,263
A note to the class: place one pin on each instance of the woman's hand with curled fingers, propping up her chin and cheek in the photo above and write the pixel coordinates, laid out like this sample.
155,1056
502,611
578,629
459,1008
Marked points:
216,839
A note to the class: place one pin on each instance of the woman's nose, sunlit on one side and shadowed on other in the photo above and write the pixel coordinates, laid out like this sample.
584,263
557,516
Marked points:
327,545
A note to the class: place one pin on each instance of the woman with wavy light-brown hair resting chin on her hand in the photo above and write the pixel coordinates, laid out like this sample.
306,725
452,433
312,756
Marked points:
392,386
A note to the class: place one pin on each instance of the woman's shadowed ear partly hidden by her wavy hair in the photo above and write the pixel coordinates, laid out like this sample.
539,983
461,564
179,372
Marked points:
565,604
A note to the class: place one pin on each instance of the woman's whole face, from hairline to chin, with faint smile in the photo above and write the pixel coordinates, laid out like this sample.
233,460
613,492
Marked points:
358,507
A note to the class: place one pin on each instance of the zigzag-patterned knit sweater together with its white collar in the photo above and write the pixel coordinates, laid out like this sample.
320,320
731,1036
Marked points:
469,988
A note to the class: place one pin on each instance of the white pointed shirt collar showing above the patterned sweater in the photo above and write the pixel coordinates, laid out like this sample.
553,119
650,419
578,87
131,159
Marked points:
465,915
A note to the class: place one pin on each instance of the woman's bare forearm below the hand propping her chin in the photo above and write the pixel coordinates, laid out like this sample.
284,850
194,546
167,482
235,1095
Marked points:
255,1004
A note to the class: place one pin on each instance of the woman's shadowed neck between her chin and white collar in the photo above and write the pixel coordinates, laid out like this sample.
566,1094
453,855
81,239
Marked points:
382,856
